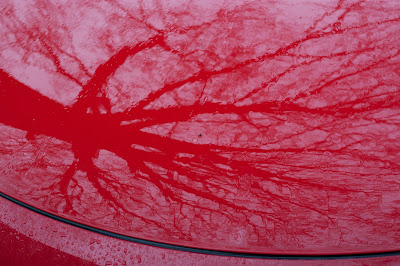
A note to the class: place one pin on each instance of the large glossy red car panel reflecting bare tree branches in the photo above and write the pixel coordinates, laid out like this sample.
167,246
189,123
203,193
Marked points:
249,126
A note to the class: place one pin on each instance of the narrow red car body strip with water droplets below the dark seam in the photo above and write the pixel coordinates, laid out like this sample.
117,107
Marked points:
33,239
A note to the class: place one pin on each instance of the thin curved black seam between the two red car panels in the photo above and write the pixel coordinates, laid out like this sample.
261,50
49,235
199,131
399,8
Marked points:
198,250
